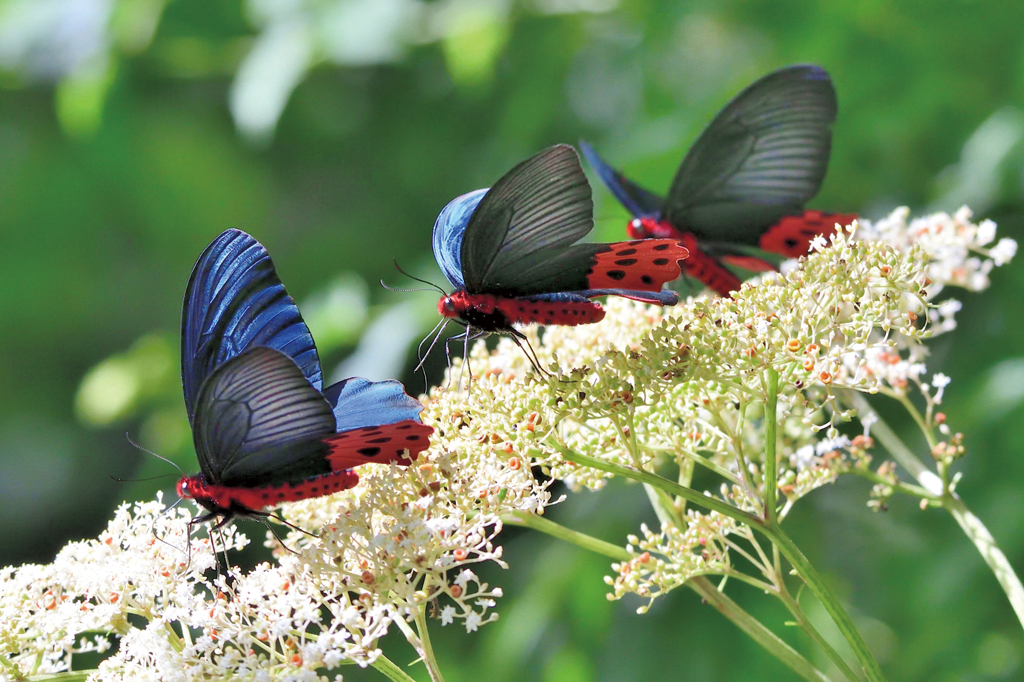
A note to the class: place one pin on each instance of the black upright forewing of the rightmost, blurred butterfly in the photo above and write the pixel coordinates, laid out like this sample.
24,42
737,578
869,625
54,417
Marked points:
763,157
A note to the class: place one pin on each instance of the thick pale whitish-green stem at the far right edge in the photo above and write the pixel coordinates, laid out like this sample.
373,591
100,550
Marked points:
950,501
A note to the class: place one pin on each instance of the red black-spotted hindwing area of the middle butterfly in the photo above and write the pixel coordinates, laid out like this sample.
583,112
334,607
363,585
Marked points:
637,266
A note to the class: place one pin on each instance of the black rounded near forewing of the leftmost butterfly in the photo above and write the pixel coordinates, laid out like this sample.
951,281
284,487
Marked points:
259,421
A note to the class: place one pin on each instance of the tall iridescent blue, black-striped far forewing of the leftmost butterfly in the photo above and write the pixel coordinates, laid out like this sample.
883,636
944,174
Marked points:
235,302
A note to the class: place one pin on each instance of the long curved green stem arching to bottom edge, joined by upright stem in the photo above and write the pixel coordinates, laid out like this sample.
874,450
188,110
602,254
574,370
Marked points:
773,532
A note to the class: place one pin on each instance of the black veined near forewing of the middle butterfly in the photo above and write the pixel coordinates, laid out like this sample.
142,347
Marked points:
519,241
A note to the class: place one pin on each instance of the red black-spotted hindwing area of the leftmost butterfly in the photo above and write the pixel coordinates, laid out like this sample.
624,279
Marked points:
381,445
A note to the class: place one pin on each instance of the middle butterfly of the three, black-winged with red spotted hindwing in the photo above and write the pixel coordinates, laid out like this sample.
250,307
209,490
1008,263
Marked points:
511,252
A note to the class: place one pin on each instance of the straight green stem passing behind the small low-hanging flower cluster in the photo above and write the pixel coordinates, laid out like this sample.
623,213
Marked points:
702,585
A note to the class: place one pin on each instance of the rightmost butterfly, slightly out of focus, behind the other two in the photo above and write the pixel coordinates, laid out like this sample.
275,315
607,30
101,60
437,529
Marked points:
745,182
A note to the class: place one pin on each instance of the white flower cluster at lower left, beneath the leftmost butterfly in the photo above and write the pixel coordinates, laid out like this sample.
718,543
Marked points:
401,540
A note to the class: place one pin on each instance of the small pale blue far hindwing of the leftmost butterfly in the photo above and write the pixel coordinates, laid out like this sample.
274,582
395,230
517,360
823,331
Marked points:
359,403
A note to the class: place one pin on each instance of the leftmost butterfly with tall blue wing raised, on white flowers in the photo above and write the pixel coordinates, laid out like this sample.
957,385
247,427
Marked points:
266,432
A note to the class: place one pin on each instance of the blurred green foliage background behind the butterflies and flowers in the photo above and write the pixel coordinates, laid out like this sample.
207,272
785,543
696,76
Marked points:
134,132
